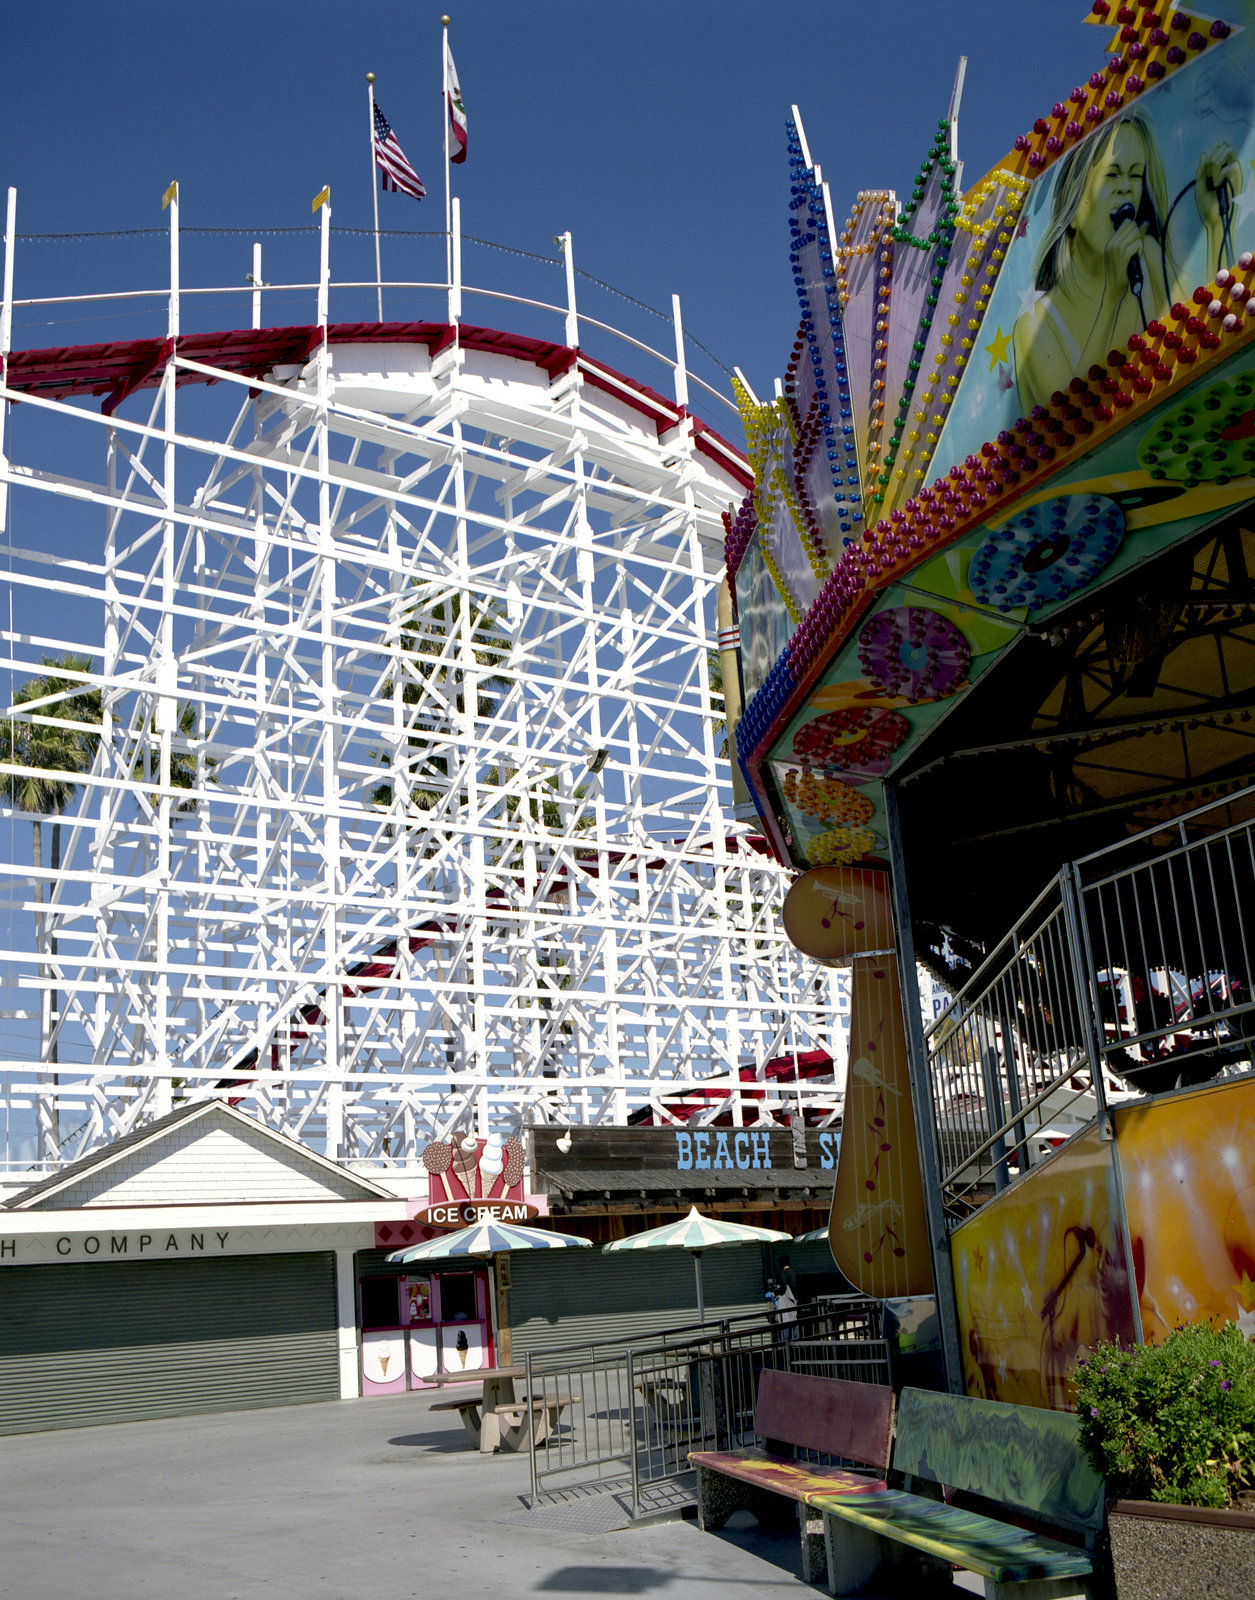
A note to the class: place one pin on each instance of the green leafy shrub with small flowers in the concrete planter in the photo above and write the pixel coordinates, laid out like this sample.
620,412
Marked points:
1173,1422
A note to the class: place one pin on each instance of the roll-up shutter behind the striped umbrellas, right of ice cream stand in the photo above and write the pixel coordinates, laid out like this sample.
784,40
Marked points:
577,1297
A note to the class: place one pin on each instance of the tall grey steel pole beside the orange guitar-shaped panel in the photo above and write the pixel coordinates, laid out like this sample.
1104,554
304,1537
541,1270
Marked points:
923,1103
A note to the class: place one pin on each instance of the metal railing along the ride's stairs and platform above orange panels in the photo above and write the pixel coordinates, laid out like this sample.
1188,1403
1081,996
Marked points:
1129,972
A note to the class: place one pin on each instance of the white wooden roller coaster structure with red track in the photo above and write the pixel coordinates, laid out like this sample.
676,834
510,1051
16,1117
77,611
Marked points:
406,814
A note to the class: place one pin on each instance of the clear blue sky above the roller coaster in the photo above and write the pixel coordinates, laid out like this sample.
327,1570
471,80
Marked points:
652,130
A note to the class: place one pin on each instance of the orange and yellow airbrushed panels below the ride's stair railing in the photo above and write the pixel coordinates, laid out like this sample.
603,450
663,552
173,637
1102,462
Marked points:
1043,1273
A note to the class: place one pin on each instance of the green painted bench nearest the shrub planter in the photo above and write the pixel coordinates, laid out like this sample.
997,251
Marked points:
1025,1460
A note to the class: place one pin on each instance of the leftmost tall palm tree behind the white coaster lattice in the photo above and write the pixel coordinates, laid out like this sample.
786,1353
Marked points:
57,738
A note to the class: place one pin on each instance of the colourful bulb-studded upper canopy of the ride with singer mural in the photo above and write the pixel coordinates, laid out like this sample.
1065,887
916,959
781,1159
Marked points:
1003,394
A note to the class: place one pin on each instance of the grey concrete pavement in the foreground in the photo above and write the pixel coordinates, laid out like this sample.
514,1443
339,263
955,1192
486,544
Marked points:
337,1502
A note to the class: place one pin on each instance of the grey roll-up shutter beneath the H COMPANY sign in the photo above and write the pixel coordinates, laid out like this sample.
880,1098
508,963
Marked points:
84,1343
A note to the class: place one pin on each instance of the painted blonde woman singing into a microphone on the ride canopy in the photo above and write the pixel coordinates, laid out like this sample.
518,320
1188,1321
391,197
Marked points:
1107,265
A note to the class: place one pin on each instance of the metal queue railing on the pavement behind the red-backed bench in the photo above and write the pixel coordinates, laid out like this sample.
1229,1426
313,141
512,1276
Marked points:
632,1415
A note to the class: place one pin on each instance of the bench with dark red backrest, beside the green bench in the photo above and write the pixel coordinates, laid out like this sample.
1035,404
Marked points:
800,1414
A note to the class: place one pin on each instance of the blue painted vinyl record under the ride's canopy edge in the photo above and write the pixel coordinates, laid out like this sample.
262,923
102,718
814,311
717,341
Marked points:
1048,553
